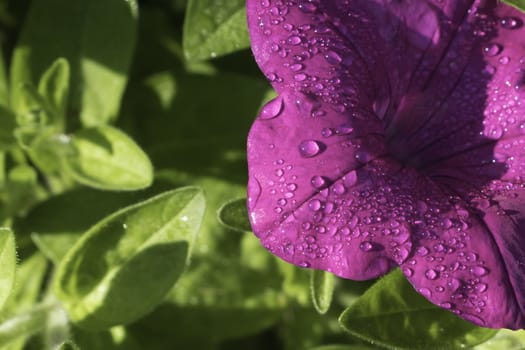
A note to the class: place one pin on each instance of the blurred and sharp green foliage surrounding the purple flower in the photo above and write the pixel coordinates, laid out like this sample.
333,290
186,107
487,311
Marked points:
123,182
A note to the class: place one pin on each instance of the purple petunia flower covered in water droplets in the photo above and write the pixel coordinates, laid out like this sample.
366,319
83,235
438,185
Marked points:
397,139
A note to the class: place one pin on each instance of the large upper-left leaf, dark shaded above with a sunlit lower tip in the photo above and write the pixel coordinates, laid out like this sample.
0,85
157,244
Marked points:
96,37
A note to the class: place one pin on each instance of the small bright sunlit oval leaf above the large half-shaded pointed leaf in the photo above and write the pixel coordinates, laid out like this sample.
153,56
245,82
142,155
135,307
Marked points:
106,158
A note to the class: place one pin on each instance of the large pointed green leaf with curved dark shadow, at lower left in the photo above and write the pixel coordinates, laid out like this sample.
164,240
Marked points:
124,266
